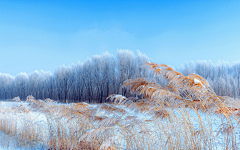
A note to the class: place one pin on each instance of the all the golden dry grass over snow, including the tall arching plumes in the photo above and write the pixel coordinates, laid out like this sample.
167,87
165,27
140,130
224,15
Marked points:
183,114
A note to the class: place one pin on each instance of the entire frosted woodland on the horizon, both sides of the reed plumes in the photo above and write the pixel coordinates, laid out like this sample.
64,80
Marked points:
96,78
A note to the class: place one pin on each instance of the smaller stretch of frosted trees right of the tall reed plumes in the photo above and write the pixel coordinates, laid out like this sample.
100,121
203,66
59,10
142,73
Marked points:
223,77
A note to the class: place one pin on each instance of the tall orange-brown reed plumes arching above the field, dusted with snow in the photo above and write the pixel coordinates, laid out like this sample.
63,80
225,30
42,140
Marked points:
192,90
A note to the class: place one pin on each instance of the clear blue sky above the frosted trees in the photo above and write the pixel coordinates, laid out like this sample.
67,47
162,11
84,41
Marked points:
45,34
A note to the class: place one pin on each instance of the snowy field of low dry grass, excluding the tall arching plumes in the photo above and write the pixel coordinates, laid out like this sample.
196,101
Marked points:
32,125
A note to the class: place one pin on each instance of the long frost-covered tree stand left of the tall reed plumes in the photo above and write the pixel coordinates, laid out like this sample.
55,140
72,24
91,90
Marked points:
91,81
